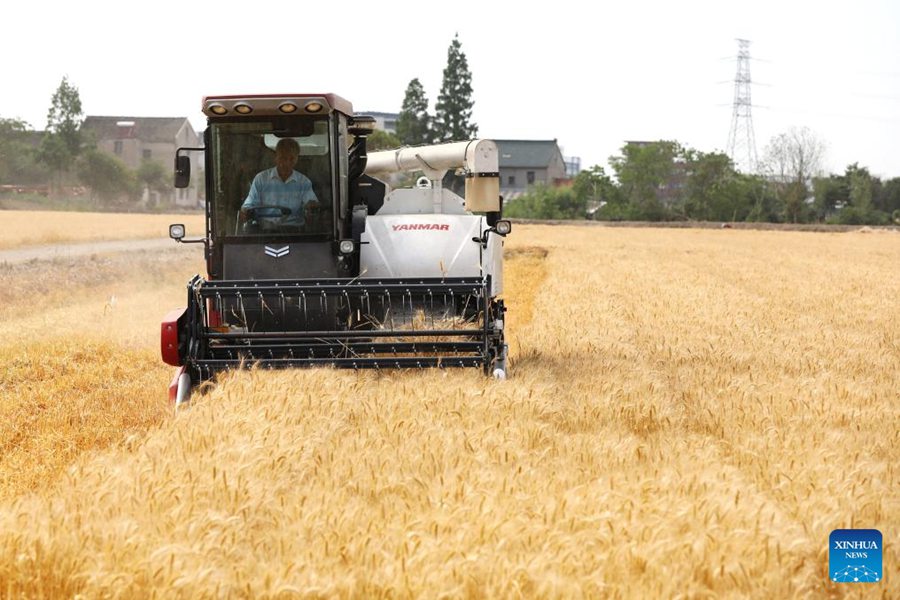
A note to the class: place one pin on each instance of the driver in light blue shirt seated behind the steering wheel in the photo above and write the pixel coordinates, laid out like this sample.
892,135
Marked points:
281,186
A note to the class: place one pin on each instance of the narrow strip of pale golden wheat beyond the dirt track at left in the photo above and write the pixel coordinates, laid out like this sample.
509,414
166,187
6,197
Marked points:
26,227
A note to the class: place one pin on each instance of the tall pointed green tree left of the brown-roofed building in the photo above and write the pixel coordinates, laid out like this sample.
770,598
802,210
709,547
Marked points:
62,139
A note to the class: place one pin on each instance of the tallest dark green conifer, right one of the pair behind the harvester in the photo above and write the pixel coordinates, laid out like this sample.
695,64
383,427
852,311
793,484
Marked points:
453,111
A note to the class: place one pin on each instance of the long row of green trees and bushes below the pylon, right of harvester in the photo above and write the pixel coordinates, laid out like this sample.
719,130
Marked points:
666,181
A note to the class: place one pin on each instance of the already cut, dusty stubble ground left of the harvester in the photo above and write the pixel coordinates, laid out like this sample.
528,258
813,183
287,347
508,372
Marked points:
79,358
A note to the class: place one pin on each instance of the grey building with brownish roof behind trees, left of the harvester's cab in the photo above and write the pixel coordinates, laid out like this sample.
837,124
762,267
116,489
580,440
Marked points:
136,139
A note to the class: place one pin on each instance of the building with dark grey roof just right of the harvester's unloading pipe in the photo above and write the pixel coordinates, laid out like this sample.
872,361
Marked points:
524,163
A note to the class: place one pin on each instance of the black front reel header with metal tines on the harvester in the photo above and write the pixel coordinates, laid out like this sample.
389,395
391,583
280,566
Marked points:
357,345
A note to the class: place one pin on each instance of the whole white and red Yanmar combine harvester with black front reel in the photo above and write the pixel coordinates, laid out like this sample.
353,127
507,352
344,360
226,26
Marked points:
360,277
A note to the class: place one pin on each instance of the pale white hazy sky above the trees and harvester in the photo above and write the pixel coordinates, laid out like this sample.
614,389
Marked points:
591,75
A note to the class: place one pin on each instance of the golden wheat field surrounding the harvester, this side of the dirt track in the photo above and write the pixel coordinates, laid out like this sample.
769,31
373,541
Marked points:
689,414
